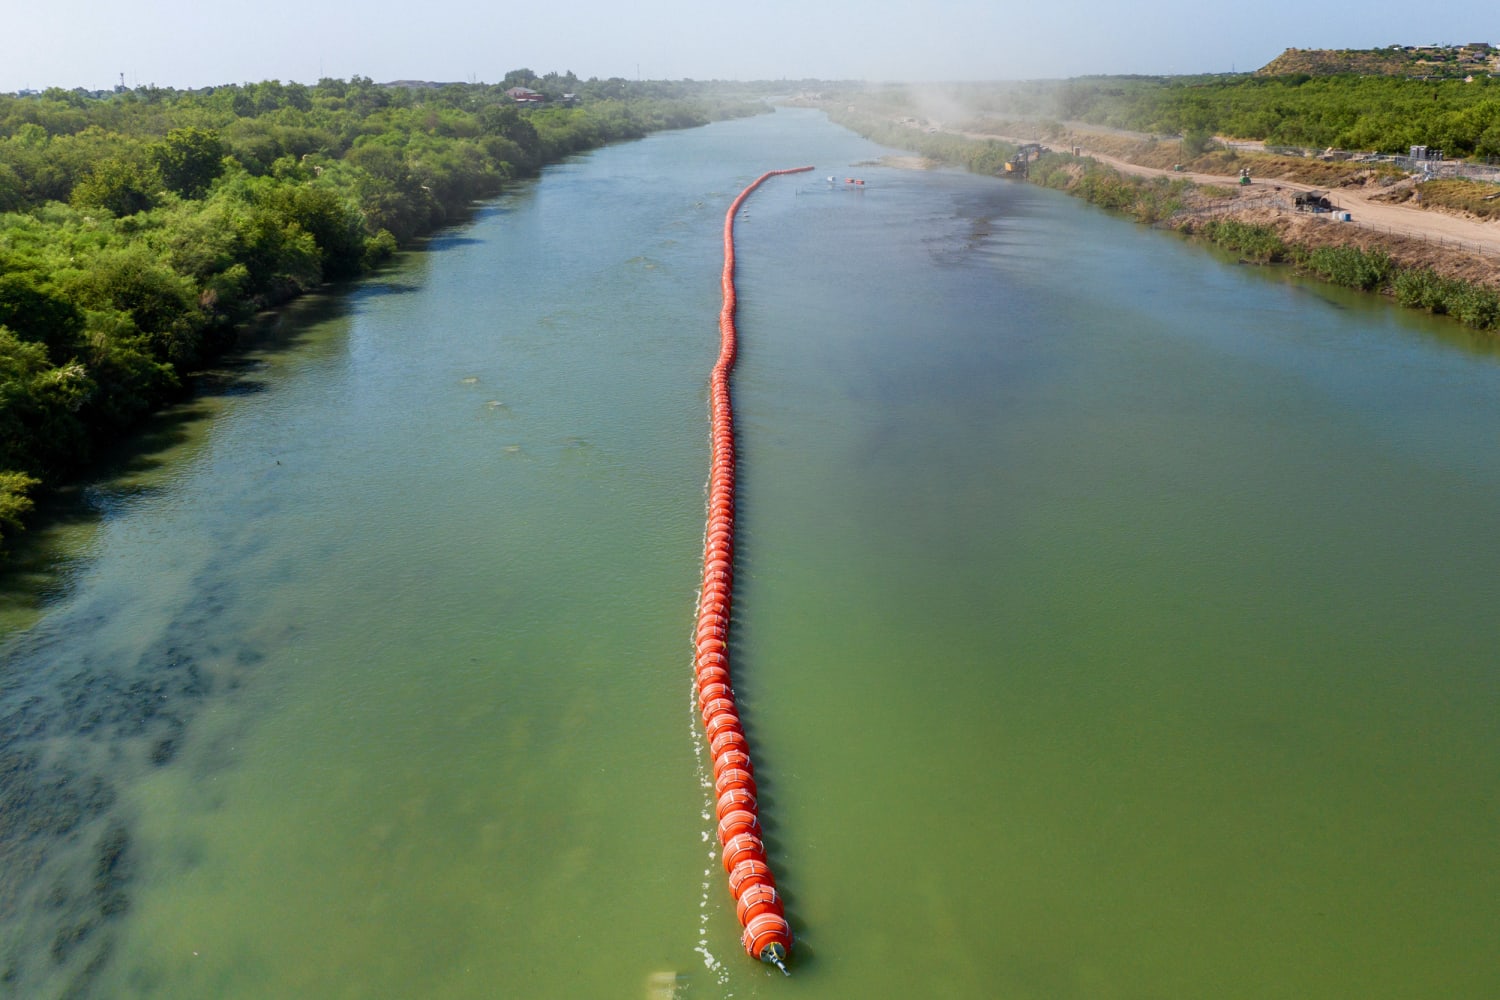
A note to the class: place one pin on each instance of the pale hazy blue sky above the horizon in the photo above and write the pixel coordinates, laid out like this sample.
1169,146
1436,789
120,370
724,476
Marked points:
200,43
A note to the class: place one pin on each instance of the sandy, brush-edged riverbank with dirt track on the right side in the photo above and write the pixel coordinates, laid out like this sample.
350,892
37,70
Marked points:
1439,262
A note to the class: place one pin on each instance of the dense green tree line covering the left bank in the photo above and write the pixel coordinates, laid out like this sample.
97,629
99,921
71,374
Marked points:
140,229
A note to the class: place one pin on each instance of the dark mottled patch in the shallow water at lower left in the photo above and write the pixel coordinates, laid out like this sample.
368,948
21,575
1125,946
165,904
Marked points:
80,722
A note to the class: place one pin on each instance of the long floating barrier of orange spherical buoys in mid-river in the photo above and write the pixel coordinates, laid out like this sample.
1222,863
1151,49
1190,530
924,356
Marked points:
767,935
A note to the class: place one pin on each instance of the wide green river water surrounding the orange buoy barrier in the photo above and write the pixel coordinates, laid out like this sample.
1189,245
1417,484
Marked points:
1112,620
